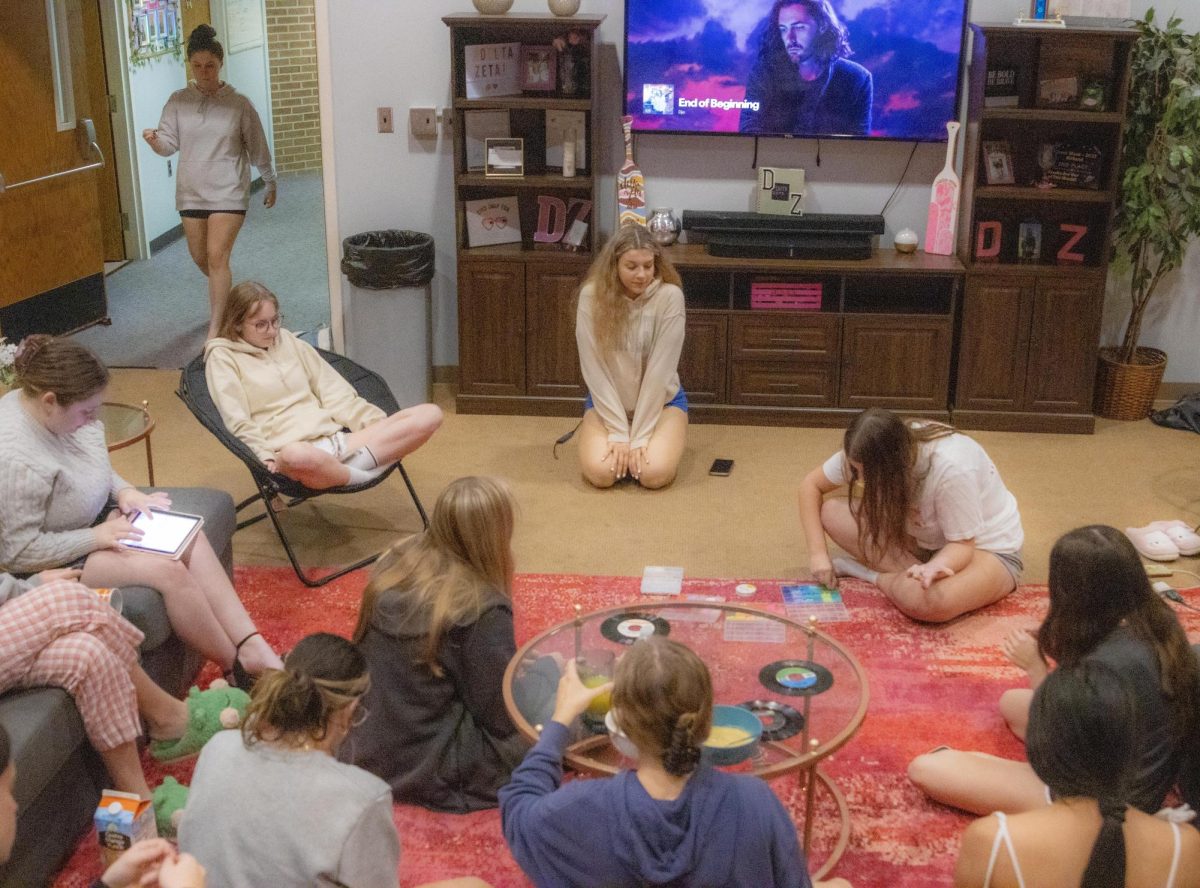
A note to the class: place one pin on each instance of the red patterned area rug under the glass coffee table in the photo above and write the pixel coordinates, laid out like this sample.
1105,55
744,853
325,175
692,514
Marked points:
928,686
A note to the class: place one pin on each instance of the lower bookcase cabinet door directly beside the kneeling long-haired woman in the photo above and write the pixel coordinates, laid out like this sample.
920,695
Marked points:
553,362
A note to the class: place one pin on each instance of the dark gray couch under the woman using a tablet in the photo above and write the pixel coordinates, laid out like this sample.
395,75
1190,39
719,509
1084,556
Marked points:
59,776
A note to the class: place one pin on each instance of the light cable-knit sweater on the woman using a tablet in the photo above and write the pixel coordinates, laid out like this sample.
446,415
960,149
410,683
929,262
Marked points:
52,489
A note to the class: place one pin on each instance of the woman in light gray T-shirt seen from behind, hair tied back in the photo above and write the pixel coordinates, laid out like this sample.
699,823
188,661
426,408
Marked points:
273,807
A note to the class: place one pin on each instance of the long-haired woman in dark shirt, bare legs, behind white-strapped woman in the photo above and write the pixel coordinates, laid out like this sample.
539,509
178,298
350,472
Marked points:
1102,610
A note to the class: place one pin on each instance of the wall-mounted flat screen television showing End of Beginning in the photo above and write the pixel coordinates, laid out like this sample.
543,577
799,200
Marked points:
855,69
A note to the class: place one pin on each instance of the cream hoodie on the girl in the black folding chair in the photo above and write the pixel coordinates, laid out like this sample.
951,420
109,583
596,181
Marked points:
281,395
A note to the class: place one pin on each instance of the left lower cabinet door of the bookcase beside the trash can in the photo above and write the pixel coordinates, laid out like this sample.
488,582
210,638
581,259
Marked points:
491,328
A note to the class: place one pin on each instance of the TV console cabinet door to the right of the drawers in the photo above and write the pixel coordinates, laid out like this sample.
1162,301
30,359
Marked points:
897,362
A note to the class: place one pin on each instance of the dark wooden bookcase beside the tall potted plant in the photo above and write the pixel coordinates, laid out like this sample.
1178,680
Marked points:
1030,326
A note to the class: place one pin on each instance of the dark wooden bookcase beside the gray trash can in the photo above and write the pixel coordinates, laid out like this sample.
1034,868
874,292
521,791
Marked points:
517,302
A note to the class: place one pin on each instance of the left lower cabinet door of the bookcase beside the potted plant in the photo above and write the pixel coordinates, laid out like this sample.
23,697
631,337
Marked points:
994,344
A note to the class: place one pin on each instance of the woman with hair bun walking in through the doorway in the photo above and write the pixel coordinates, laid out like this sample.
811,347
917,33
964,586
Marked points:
219,136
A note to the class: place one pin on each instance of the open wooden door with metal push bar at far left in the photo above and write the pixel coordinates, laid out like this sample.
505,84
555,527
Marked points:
52,271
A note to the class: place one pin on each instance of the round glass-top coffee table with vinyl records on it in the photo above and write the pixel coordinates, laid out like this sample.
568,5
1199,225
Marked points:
807,689
